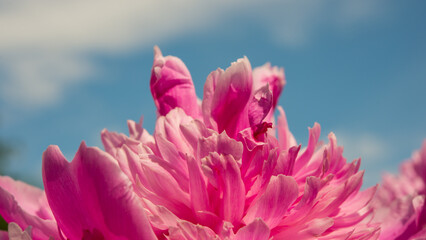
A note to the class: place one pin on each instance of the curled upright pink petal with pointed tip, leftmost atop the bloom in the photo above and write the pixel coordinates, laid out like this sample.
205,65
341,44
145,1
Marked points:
171,85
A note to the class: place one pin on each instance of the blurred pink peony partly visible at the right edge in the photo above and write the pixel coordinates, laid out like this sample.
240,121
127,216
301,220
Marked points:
399,204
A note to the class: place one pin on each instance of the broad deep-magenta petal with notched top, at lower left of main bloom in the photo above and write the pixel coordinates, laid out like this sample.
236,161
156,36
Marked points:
91,194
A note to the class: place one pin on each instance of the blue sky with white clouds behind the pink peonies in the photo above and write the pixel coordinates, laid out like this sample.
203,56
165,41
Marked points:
70,69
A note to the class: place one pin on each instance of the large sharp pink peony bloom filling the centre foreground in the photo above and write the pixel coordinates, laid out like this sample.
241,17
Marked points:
213,169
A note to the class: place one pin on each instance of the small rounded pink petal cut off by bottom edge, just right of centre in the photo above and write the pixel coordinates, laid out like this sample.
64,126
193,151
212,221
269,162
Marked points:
256,230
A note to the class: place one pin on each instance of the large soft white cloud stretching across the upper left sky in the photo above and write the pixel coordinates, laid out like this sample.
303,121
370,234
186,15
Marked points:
44,44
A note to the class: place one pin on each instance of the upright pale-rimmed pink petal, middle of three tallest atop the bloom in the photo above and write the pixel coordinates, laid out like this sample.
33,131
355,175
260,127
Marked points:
226,95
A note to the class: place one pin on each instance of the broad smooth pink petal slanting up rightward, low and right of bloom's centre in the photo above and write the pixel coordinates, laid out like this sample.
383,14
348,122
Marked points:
274,203
